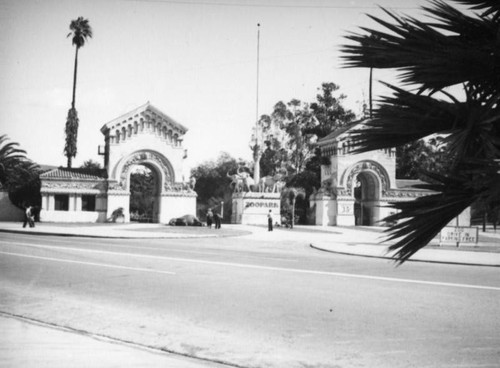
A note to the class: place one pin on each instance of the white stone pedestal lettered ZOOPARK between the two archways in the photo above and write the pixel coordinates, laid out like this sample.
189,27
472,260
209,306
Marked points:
252,208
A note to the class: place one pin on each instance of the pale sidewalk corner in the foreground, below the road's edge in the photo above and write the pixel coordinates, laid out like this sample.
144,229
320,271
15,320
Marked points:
29,344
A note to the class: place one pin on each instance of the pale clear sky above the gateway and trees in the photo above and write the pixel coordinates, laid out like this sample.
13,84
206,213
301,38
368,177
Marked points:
195,60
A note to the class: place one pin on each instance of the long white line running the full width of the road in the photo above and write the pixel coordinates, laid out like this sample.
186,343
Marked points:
269,268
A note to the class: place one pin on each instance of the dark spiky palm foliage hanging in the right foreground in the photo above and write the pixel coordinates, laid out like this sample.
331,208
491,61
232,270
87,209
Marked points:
453,50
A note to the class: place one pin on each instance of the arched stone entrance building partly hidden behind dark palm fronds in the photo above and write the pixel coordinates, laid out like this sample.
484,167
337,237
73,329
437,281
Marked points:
356,188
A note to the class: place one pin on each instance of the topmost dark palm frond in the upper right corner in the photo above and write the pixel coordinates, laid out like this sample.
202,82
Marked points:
467,50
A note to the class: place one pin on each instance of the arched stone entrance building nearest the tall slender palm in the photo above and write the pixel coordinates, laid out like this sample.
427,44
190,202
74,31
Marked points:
143,137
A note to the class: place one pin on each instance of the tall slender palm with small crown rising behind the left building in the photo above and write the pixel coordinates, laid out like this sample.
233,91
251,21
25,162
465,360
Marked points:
80,31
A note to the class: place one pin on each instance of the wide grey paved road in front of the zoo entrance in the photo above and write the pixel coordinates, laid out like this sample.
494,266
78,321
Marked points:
266,303
